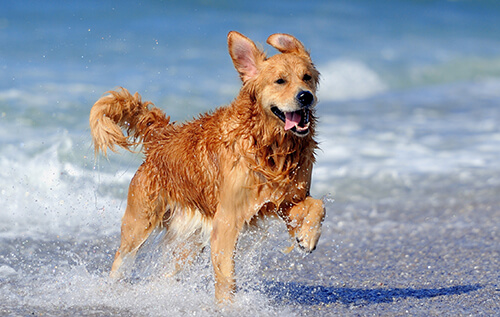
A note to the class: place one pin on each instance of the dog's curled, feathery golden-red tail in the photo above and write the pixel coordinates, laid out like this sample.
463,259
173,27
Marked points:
121,110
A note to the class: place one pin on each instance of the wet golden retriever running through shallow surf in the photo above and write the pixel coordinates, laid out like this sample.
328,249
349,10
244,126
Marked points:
205,180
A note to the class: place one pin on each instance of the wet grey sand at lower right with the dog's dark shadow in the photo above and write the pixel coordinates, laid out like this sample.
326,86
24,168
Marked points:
425,251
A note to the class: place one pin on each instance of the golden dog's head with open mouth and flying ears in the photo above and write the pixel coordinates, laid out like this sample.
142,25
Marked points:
284,84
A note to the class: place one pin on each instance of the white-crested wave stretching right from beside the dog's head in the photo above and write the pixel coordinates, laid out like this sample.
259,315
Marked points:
347,79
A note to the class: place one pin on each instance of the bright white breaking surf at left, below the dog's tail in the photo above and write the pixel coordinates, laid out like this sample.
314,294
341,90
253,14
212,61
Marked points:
42,194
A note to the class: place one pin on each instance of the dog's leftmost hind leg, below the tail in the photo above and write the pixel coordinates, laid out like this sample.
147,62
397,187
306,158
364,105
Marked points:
140,219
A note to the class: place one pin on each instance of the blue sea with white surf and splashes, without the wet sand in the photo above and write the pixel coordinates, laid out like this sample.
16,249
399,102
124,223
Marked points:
410,92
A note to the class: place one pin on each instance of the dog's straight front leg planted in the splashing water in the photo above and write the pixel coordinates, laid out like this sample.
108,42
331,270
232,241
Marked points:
225,231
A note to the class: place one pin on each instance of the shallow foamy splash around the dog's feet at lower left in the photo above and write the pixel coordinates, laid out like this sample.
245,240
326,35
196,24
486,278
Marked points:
58,275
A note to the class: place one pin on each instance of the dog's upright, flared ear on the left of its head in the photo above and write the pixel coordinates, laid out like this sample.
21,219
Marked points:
245,55
